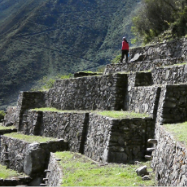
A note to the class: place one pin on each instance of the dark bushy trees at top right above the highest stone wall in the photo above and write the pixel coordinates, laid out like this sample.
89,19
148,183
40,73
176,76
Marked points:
164,19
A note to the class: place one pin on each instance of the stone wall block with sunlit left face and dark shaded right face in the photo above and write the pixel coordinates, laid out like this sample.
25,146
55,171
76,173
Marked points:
110,140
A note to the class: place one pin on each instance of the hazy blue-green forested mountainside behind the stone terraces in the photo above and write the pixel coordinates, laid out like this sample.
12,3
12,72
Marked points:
48,37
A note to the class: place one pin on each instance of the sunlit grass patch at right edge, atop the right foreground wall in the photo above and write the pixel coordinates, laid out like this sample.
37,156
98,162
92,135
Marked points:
179,131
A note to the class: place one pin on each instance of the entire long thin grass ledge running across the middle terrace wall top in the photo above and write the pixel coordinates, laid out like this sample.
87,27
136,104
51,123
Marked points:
112,114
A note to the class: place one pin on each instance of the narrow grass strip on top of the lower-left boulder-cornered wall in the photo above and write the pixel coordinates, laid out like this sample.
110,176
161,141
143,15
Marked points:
30,139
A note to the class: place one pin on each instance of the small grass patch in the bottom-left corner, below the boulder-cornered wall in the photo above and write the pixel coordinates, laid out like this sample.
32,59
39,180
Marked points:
7,173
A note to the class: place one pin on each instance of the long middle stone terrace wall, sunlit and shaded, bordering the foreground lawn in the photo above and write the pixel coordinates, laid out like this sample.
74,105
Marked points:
93,135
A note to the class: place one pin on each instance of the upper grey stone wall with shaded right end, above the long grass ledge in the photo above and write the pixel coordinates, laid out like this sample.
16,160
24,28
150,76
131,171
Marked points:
89,93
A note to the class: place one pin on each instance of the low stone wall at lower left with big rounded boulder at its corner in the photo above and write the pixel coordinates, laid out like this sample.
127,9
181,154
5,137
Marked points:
30,158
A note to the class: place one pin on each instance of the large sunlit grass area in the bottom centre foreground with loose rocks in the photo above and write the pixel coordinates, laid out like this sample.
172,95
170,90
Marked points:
79,170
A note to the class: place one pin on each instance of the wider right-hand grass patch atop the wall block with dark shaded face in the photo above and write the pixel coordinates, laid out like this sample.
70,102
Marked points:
121,114
